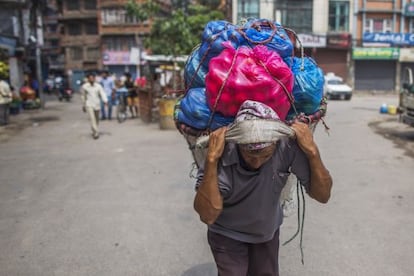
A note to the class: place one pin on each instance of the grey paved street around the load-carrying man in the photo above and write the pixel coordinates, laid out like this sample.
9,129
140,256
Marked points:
122,205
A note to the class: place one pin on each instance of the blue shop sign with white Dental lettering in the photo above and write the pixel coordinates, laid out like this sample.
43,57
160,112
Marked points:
393,39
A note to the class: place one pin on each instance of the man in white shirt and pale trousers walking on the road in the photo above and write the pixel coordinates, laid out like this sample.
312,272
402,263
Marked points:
92,95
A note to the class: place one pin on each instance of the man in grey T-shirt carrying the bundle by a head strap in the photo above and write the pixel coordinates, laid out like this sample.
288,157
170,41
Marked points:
238,191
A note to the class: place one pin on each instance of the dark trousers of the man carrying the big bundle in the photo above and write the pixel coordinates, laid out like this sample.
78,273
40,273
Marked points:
236,258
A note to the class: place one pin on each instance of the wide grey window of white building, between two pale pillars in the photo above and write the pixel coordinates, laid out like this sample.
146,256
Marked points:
296,14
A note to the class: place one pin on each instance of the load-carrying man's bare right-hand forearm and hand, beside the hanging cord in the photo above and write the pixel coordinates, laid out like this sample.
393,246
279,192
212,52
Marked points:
321,180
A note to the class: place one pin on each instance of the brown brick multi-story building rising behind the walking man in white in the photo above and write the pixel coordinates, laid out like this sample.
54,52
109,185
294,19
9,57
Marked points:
80,38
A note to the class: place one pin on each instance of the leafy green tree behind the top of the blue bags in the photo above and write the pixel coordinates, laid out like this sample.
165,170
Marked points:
178,32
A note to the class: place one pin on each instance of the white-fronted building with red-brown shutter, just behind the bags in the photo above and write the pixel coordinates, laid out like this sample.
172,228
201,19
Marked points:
323,27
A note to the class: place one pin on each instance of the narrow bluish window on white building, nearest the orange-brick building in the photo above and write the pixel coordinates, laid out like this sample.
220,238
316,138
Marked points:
338,16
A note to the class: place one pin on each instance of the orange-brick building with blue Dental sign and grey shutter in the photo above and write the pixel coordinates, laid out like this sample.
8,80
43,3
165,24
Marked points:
384,43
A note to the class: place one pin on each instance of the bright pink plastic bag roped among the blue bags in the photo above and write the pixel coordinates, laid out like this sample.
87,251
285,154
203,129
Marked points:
243,74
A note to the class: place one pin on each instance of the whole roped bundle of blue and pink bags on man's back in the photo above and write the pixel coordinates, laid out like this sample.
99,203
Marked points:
253,61
